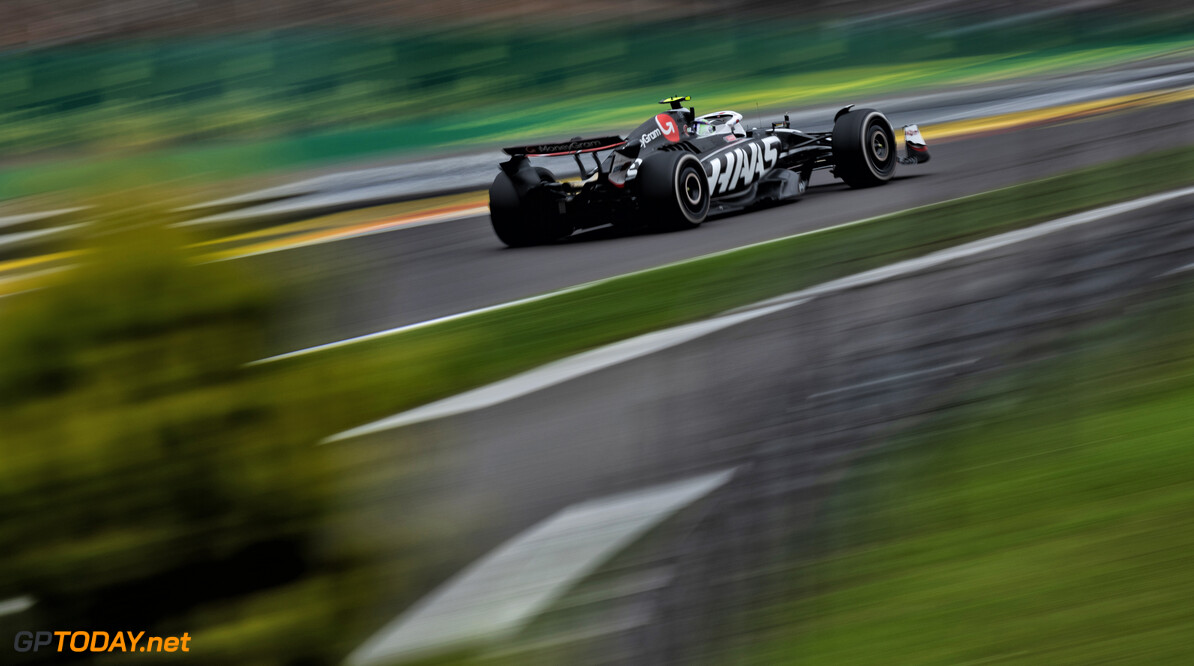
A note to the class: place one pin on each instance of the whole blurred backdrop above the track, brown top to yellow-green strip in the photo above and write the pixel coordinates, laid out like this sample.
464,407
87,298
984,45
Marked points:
233,89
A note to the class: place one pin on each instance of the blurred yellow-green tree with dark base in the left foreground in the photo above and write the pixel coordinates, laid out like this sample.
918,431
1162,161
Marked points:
145,471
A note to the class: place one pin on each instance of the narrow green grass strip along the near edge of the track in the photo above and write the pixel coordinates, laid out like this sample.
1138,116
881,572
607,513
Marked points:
417,367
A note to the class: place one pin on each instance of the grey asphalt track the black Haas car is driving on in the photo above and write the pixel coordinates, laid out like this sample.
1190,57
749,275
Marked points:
366,285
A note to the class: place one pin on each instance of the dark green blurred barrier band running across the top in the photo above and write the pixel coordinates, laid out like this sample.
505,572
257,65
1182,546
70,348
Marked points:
310,78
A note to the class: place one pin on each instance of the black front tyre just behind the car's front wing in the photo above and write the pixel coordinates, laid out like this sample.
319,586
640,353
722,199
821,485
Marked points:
864,149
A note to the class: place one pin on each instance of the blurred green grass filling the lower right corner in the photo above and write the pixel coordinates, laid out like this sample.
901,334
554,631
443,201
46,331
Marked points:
1045,522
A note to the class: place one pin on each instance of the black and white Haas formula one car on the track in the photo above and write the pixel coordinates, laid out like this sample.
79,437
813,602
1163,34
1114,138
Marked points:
678,169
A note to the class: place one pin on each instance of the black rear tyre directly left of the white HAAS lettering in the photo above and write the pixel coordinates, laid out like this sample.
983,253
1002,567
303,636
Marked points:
674,192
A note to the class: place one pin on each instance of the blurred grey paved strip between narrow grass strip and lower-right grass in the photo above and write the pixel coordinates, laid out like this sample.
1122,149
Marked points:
790,400
